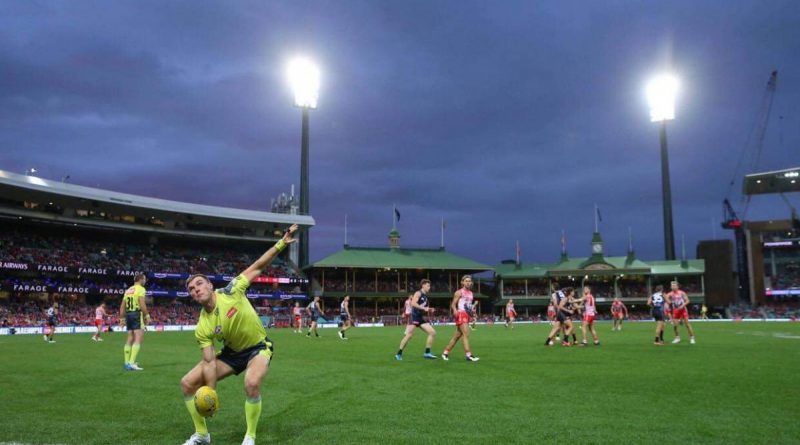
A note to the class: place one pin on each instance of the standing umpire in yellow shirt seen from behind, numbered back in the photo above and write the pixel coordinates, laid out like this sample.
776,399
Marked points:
133,312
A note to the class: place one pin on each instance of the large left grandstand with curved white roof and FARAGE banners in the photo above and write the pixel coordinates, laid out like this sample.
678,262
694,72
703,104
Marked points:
81,245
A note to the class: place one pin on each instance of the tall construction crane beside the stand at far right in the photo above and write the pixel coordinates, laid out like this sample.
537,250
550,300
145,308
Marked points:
731,220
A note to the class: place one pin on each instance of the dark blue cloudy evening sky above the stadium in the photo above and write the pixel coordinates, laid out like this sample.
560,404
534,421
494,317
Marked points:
507,119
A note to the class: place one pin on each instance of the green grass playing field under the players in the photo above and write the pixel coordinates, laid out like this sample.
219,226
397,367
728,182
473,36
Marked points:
736,385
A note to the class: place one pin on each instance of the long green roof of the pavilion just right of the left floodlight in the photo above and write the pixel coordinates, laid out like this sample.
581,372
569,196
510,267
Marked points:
399,258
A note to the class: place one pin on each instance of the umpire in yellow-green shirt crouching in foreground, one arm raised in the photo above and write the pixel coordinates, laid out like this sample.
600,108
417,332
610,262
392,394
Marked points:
228,317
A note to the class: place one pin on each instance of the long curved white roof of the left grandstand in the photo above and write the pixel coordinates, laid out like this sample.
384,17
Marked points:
13,185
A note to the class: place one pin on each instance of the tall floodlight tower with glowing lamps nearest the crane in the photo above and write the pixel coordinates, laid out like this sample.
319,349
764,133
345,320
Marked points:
661,92
